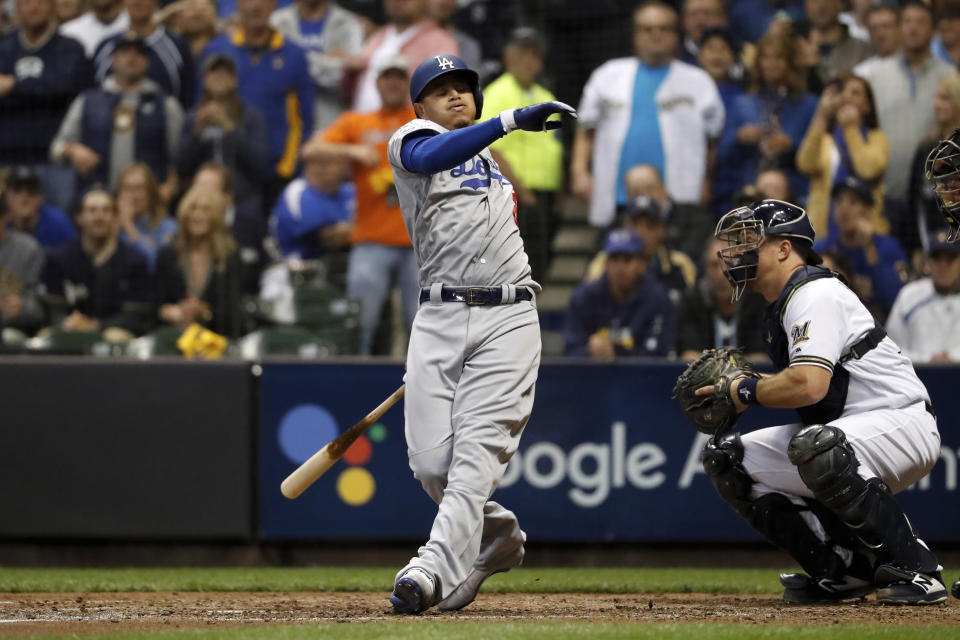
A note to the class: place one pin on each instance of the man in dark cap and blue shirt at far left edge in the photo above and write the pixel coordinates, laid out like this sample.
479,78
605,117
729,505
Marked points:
29,213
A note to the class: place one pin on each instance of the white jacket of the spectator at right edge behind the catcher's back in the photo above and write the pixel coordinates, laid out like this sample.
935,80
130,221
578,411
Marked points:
925,322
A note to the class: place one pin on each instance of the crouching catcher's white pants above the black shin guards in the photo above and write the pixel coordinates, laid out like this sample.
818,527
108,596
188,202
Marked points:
899,446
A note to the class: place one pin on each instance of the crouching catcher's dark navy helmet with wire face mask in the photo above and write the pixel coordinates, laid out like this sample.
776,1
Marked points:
744,230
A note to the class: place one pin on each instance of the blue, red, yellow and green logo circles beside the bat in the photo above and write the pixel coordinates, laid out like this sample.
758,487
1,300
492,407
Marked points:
307,427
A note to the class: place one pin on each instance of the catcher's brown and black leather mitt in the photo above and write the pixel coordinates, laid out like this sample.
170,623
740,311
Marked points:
712,414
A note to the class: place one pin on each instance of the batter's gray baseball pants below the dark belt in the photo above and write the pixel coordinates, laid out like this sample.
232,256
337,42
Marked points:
470,379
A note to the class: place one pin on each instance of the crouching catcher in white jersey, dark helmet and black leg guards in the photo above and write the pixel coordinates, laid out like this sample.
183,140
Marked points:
823,489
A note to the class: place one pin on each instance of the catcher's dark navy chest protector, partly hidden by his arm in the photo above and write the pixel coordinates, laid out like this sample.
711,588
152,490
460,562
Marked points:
775,338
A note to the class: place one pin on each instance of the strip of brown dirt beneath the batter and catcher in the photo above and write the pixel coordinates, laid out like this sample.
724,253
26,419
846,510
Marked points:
30,615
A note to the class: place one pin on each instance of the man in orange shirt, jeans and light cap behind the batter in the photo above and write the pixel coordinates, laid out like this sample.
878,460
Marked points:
382,256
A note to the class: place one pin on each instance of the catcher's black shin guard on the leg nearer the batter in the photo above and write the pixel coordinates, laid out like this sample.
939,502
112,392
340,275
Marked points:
773,515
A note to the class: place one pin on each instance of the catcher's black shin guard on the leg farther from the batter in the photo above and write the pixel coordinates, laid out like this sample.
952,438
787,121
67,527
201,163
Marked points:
828,466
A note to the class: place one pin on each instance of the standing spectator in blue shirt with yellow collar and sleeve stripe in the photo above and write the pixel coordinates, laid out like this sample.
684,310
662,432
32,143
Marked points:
272,75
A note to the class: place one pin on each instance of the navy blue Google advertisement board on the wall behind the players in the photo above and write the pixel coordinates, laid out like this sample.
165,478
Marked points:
606,456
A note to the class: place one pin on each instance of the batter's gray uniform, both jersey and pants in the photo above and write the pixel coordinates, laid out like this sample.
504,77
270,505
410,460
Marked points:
471,370
